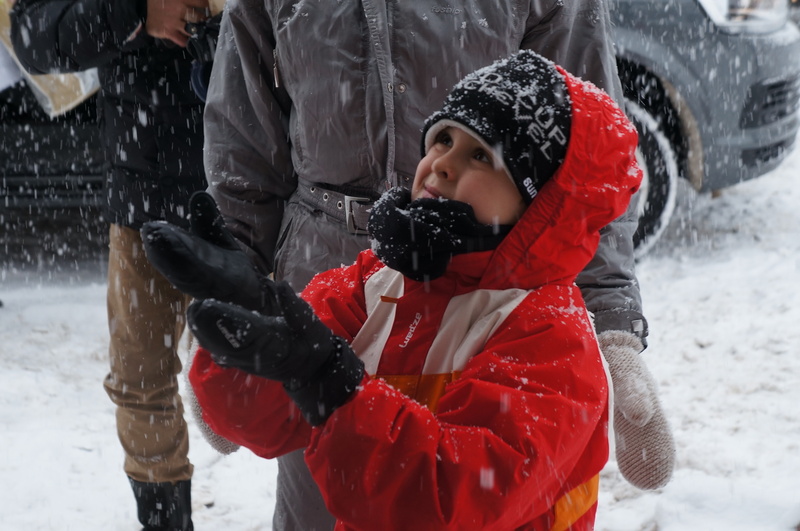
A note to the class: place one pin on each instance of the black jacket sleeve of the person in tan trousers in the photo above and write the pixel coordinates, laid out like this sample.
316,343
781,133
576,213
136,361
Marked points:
73,35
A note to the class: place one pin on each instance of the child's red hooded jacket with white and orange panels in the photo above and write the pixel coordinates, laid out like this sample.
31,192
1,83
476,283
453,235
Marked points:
486,405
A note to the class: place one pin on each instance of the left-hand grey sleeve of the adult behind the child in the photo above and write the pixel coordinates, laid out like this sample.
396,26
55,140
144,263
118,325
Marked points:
247,154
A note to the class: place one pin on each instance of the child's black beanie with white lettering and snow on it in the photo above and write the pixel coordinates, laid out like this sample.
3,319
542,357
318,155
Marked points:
520,108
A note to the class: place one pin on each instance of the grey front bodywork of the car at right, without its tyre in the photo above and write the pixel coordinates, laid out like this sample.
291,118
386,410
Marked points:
733,96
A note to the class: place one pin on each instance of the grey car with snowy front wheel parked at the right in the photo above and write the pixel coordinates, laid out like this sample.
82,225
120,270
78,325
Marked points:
713,88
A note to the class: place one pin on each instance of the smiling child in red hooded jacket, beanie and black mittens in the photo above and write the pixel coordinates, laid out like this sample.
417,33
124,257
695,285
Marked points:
450,378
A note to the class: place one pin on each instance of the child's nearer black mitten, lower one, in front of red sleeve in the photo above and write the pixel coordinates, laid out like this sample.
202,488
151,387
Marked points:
318,369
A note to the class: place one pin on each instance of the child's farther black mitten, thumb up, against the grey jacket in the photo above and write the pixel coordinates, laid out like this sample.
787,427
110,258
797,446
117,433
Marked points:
206,263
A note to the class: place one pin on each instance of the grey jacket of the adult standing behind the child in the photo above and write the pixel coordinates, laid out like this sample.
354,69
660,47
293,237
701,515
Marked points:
354,85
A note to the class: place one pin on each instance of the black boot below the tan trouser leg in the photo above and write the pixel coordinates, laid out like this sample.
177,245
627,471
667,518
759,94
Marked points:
164,506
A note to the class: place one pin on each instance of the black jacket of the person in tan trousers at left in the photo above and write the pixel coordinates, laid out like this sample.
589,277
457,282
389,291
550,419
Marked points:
151,117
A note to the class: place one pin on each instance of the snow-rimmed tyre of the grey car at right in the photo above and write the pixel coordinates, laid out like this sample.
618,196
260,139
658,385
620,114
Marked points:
656,198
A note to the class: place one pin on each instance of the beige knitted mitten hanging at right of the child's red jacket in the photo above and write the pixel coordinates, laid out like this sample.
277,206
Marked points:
645,449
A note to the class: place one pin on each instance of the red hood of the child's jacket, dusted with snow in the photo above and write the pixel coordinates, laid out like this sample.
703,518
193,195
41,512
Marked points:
559,232
